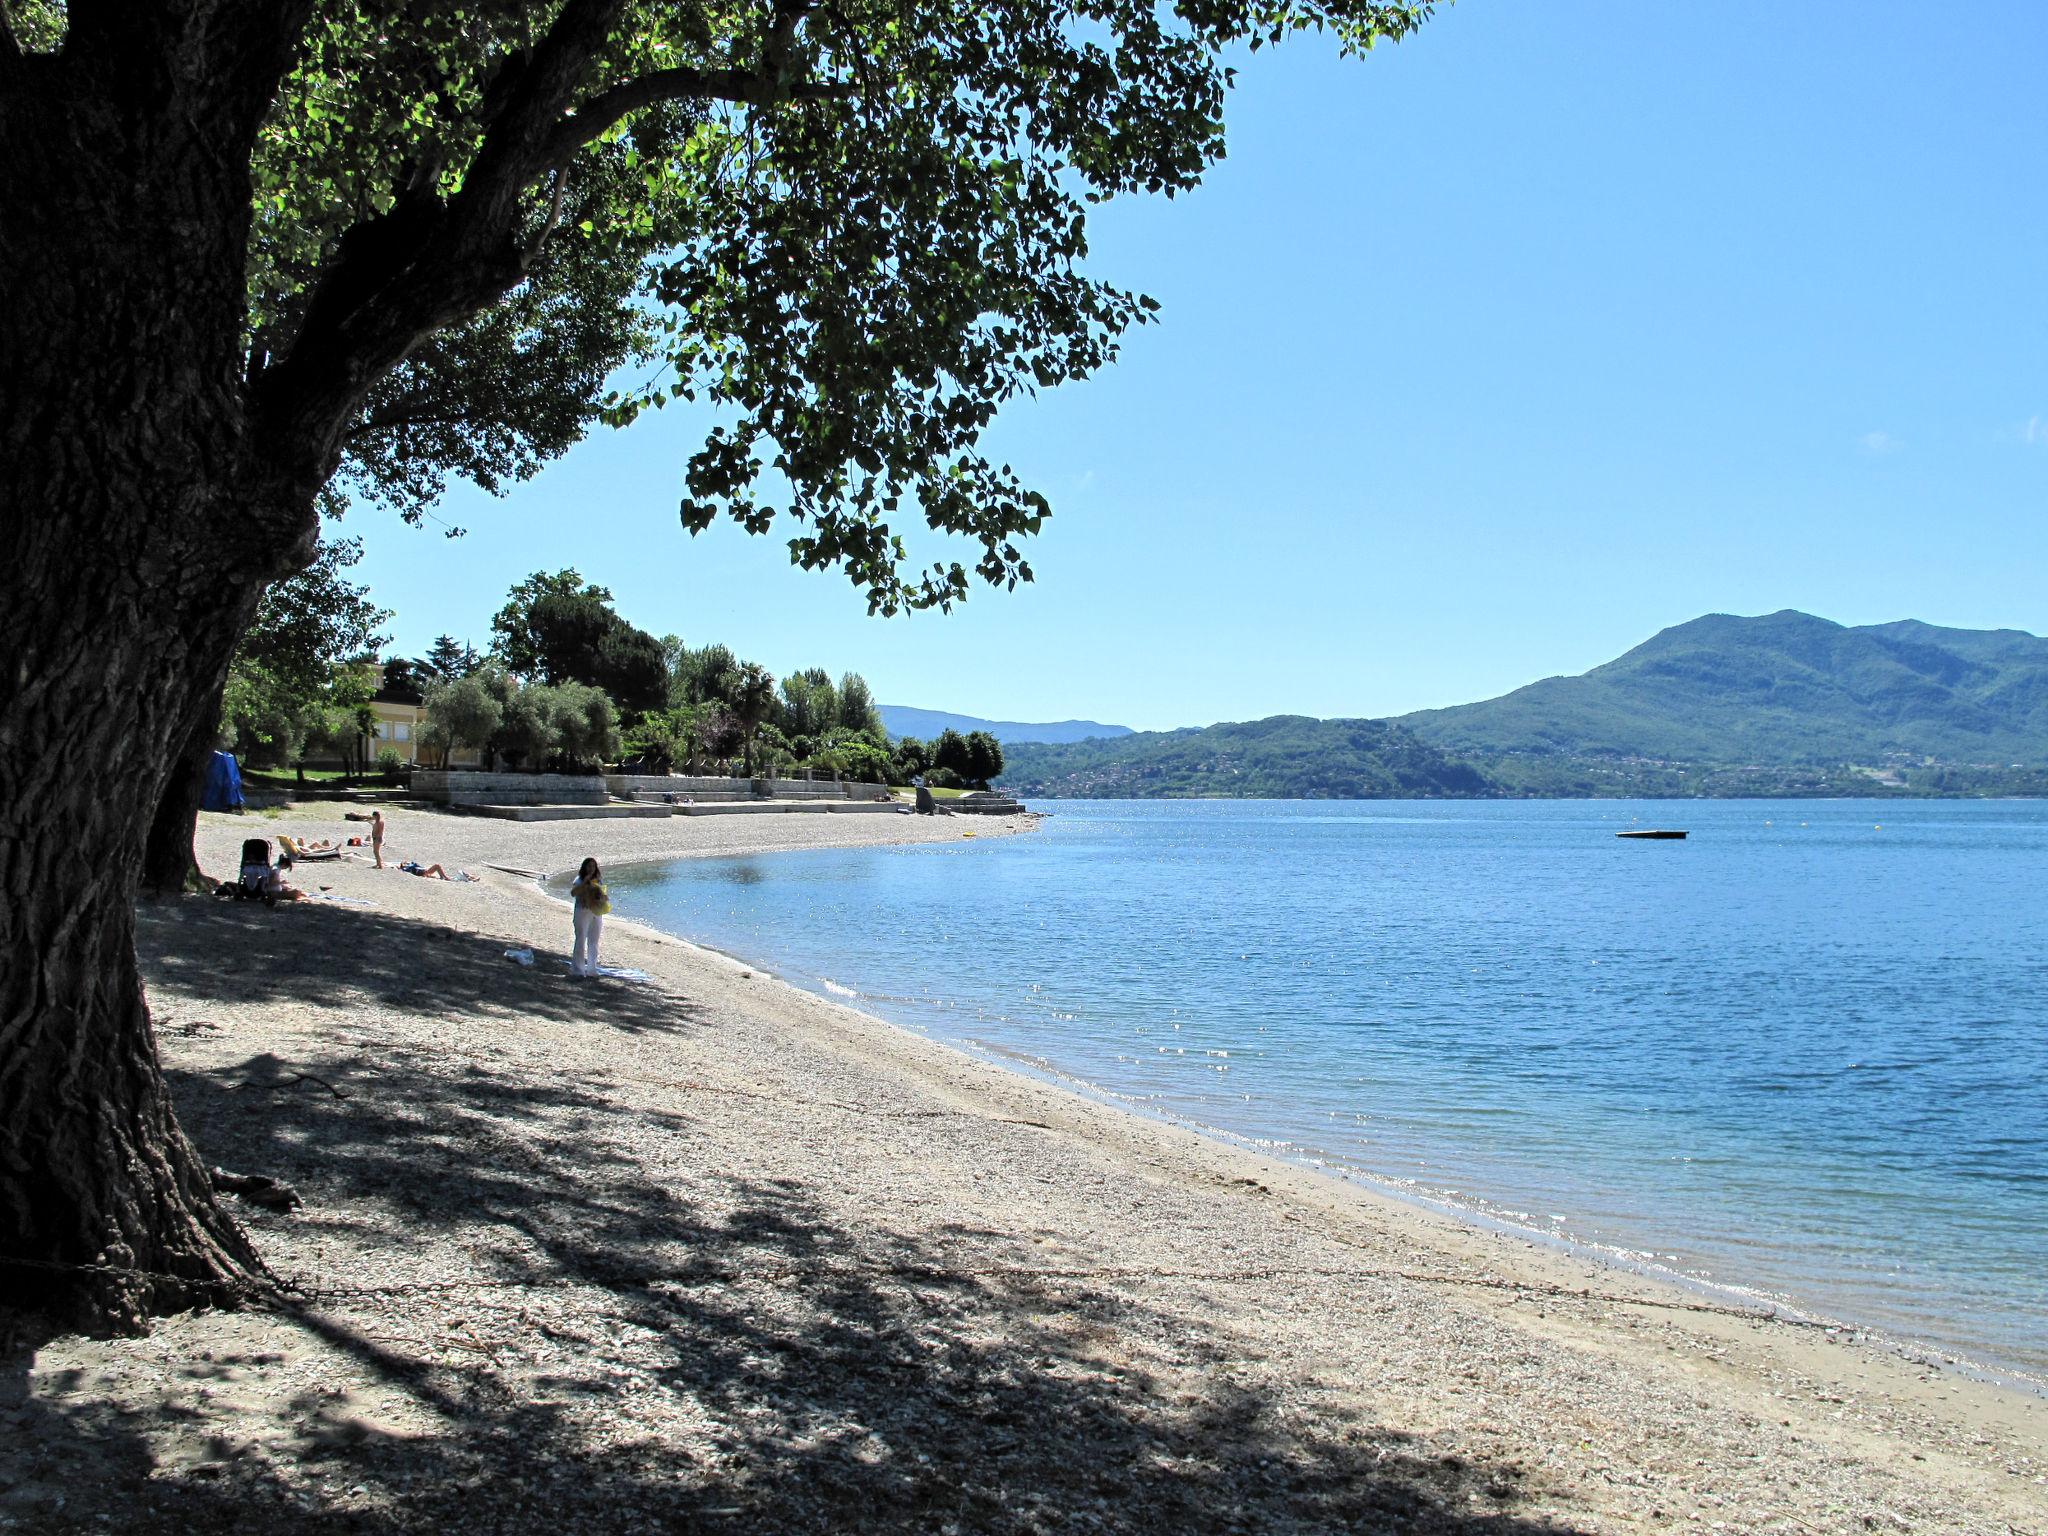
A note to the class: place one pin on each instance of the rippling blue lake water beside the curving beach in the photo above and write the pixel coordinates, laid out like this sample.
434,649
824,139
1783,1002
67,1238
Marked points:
1803,1054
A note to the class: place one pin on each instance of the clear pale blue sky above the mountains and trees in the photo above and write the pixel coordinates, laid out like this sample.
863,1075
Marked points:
1482,359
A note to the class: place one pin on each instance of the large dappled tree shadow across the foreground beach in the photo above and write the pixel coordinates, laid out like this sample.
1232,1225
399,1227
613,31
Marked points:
646,1342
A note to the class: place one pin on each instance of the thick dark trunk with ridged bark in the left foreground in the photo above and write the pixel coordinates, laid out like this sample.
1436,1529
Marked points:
138,527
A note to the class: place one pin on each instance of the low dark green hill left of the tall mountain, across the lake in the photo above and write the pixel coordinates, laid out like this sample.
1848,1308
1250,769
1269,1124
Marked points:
1287,757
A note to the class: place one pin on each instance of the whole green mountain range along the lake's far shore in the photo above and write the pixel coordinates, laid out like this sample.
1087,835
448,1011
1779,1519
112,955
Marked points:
1721,706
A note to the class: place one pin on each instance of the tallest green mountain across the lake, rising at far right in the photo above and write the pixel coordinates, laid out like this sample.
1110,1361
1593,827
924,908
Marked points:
1779,691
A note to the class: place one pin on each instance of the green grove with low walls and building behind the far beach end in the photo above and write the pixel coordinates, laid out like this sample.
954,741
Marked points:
572,712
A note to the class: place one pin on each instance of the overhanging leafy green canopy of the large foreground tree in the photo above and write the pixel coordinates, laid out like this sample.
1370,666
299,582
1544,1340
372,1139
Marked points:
861,234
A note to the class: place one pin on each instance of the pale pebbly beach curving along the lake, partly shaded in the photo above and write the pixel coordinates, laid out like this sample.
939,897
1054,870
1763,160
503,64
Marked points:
710,1252
